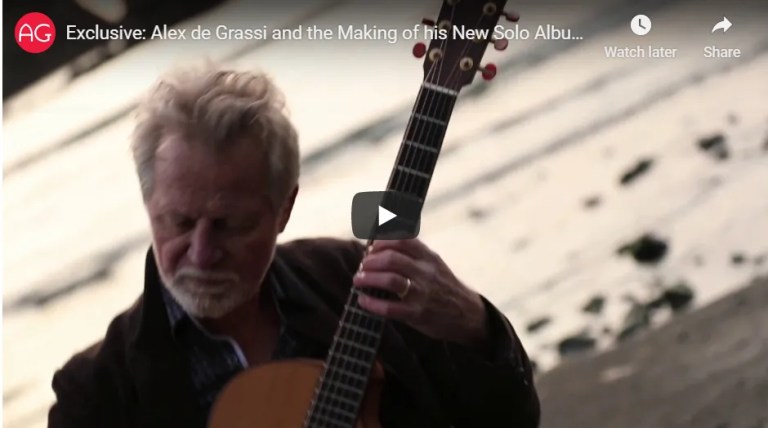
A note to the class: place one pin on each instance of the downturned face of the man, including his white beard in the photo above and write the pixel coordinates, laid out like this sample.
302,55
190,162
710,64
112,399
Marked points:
214,226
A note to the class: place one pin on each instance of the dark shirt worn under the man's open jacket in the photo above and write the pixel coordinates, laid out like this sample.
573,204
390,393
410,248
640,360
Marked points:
215,360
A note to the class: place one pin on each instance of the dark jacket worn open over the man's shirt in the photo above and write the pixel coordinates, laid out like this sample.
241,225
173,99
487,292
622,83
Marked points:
136,376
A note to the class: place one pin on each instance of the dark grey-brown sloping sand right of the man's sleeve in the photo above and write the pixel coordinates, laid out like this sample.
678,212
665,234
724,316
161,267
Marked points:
708,369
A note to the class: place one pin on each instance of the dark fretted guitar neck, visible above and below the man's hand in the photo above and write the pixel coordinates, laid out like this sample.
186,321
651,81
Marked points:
352,354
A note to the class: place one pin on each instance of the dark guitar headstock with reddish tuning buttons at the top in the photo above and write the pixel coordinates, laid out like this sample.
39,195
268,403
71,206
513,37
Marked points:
461,34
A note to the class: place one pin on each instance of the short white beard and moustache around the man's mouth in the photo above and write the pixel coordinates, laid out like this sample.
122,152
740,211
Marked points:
206,294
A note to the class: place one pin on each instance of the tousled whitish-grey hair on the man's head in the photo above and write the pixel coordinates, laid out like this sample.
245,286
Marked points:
218,108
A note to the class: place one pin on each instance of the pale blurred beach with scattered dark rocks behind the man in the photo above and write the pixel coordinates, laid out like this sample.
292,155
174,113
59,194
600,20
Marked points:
613,209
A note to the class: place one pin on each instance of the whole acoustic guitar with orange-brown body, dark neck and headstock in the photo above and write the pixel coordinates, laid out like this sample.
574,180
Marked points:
343,391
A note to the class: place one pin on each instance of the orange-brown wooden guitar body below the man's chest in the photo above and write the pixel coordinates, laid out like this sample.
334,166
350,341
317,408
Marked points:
277,395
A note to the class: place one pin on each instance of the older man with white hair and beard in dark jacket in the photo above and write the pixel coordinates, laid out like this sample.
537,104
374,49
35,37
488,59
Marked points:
218,164
